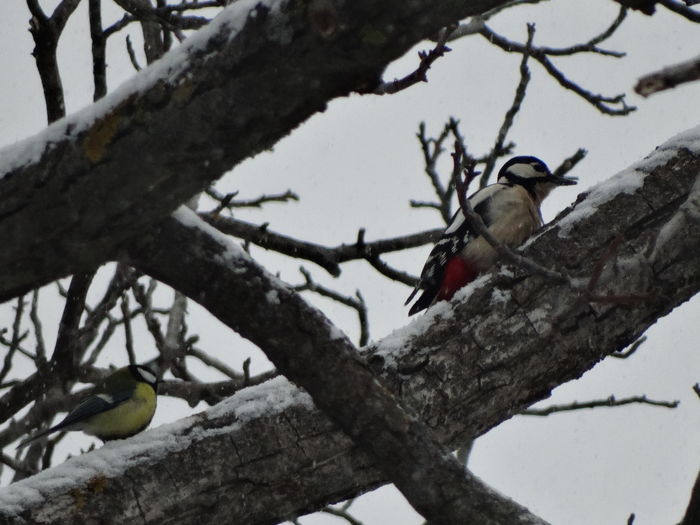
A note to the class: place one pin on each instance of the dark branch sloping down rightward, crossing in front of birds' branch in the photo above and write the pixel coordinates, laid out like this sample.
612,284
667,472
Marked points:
308,349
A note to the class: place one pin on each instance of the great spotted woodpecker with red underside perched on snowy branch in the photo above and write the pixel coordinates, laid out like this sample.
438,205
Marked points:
511,211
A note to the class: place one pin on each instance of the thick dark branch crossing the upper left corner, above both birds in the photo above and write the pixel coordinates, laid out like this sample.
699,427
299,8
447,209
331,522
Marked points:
90,192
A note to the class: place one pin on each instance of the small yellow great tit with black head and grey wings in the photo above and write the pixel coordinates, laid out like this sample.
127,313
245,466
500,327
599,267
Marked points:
124,406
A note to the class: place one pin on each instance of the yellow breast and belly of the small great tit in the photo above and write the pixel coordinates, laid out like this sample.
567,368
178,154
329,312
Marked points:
126,419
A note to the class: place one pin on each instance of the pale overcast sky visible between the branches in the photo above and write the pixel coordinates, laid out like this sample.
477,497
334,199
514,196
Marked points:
358,164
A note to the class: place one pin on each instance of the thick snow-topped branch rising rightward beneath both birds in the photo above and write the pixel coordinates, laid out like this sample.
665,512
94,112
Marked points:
462,368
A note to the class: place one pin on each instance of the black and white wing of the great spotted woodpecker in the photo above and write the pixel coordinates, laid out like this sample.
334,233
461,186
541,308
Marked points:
453,240
